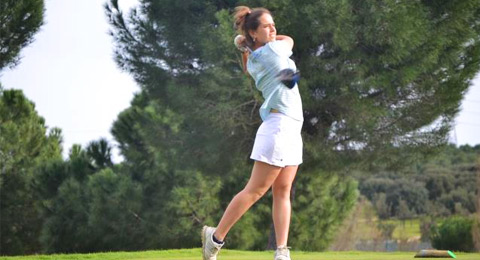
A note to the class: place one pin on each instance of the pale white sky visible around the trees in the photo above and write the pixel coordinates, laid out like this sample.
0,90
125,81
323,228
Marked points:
70,74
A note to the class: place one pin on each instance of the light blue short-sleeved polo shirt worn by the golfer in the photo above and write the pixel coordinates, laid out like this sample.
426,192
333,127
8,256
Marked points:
263,65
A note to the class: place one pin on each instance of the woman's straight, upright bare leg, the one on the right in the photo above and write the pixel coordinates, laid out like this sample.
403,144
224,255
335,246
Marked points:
282,208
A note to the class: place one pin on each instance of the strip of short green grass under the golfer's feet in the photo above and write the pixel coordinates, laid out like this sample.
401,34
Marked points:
190,254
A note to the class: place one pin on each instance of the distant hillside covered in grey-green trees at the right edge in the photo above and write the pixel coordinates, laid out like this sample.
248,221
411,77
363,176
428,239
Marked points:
439,186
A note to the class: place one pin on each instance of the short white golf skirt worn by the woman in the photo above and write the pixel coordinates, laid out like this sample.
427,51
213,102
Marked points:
278,141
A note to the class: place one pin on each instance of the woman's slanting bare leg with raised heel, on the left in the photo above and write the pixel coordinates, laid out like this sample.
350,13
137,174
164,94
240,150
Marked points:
262,177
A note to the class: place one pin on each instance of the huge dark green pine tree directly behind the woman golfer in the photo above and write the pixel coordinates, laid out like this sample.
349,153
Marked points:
382,82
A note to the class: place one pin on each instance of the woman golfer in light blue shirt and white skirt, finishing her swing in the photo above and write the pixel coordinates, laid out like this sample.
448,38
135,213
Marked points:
277,150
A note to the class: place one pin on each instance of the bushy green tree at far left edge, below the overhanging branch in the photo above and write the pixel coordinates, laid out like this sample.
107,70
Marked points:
24,144
